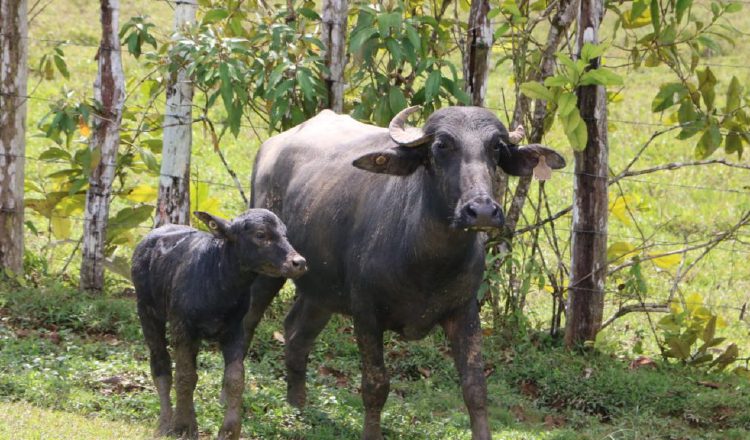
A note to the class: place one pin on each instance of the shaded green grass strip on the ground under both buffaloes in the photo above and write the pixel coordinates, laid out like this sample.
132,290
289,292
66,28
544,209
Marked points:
537,390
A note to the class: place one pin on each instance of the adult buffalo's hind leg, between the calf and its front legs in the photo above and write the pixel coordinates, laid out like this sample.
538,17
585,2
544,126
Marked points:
302,325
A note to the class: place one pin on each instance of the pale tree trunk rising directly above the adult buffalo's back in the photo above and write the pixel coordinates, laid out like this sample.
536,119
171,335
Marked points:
333,35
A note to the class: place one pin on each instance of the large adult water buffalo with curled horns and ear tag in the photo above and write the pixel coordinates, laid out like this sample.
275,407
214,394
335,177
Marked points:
390,221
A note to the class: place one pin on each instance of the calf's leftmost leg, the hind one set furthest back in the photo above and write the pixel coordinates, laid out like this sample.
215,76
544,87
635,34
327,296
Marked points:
154,331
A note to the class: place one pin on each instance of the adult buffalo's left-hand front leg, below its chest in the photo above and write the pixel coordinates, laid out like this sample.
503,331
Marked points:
375,380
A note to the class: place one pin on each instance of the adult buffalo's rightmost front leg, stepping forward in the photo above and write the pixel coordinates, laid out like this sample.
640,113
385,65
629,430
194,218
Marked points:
465,336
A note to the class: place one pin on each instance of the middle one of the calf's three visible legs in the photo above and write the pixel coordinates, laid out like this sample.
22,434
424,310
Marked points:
186,376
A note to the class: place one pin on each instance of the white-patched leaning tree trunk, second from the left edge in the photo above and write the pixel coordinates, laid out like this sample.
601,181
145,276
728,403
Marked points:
109,91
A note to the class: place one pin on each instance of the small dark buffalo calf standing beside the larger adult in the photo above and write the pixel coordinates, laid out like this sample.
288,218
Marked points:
199,283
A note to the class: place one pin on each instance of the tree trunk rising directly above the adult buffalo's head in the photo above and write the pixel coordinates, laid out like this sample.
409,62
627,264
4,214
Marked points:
477,54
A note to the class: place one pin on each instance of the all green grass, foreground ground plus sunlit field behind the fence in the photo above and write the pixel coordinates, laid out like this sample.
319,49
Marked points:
76,367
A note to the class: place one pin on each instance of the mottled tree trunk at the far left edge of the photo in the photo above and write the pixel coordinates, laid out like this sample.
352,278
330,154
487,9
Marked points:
13,77
